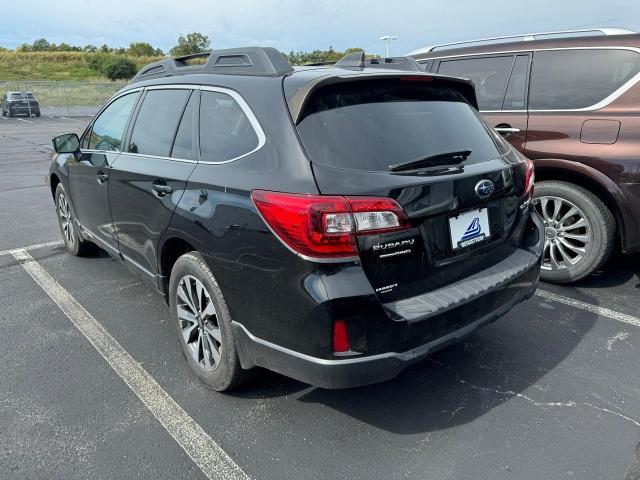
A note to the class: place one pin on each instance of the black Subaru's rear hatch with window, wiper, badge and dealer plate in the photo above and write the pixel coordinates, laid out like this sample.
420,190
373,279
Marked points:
463,208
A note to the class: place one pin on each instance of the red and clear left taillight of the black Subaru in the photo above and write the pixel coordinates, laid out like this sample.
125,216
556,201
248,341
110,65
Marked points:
325,226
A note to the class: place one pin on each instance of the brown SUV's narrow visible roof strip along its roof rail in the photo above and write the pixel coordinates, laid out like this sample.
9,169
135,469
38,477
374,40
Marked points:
627,40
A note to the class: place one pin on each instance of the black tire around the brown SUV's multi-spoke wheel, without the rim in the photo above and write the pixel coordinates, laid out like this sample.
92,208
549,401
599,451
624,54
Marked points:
600,222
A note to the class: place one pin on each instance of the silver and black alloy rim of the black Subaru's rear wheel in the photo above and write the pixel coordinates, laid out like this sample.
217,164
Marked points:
199,322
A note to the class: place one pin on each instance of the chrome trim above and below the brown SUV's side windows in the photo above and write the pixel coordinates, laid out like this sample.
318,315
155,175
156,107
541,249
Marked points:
621,90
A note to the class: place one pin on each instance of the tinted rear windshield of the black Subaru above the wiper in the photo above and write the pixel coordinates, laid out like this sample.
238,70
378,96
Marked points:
369,125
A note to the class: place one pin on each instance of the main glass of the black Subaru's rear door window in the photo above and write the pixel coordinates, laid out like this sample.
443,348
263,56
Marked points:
157,122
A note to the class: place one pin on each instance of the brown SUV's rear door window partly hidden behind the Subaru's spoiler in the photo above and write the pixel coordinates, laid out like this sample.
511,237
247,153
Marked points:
489,75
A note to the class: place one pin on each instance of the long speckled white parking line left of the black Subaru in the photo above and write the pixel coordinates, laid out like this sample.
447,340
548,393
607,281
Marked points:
202,449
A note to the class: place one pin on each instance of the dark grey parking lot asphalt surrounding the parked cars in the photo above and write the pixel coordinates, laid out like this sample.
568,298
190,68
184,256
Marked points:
551,390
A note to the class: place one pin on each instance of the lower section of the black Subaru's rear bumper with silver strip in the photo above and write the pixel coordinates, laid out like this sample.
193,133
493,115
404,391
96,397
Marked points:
353,372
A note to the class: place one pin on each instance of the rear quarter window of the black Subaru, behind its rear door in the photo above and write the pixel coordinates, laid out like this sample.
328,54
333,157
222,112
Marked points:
225,130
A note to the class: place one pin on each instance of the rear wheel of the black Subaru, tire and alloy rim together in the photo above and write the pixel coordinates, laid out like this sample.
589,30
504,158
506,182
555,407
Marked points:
209,330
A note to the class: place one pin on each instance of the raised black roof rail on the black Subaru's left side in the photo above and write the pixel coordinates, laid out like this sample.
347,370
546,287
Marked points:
256,61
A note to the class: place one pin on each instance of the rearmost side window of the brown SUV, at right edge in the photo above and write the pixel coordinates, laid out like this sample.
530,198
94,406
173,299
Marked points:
568,79
